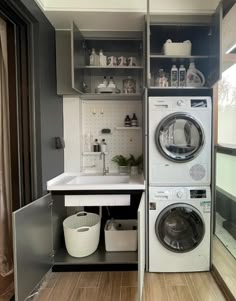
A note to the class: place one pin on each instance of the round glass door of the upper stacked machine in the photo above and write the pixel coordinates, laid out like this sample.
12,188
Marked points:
179,137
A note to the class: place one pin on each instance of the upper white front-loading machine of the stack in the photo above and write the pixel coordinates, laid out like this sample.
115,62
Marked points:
180,141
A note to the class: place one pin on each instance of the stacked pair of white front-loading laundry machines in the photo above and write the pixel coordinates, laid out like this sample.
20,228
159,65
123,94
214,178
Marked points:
180,151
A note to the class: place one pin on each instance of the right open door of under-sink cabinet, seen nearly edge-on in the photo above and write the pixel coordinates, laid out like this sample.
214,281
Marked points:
141,246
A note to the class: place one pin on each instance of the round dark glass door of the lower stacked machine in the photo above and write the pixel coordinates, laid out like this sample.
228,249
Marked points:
180,228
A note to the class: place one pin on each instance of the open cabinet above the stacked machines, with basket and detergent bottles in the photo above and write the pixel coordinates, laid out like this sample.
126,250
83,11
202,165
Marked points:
165,48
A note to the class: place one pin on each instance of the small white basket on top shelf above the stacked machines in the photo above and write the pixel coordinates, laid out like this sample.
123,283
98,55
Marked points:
183,49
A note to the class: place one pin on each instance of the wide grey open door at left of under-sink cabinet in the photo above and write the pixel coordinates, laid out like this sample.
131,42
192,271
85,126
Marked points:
32,239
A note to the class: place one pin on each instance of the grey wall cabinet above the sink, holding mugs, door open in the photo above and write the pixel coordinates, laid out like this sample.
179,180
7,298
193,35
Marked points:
100,64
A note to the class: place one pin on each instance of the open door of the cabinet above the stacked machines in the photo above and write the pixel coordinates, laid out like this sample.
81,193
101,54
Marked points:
216,47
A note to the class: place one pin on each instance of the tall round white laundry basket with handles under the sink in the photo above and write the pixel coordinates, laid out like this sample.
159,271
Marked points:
82,233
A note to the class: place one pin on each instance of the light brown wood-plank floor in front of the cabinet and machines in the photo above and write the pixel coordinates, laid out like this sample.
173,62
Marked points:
122,286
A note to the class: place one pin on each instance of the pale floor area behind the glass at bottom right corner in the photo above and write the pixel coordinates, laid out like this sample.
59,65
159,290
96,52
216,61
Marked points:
225,264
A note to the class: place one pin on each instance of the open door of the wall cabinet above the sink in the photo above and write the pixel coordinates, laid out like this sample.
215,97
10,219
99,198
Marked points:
77,58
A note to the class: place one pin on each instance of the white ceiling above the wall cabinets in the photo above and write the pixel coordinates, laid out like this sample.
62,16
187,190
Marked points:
116,15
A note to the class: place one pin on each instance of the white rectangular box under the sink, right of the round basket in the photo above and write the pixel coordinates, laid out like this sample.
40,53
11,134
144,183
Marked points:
125,238
